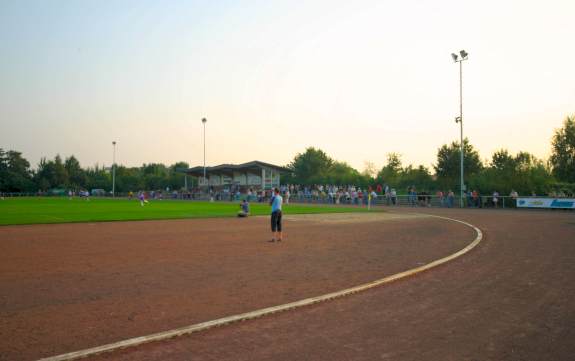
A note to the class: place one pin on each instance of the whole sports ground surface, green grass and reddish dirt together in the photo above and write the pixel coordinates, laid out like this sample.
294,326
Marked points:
99,278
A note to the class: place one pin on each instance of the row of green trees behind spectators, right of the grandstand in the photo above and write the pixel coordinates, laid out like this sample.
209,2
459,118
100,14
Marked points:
522,172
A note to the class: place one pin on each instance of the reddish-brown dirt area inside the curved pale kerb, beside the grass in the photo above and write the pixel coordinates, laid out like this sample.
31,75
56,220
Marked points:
69,287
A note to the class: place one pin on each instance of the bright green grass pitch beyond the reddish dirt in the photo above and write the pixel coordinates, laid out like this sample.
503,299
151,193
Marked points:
63,210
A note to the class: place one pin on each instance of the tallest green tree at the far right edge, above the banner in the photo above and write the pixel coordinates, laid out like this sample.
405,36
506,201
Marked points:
563,151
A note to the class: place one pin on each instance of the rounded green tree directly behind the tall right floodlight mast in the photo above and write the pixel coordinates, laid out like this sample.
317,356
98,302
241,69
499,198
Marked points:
448,165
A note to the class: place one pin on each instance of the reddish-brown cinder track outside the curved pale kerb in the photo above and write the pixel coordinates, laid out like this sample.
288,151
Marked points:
512,298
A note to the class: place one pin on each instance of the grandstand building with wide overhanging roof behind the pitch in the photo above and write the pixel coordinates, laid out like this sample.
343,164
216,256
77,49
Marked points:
255,175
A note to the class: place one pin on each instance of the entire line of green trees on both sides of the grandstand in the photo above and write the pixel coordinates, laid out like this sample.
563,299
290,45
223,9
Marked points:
522,171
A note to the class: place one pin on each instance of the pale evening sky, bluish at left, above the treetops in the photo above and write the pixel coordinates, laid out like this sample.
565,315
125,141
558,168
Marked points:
358,79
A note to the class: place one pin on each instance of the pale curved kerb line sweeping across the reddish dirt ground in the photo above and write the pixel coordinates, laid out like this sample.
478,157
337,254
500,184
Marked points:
132,342
